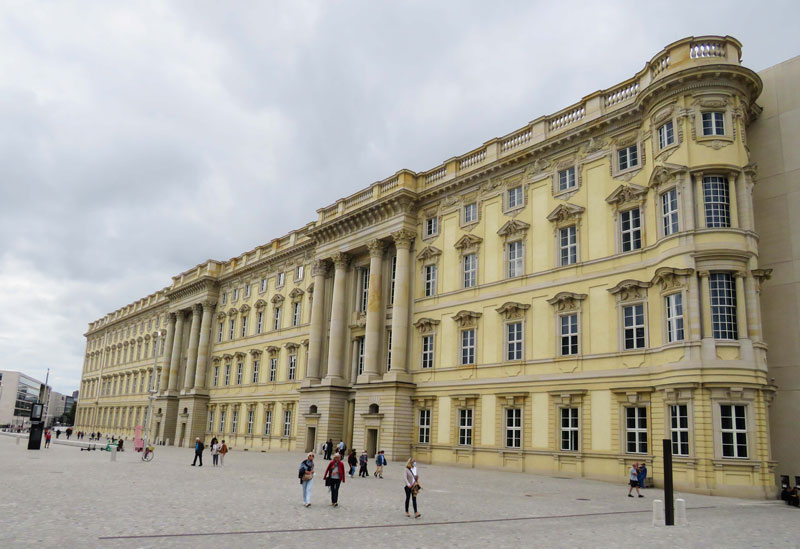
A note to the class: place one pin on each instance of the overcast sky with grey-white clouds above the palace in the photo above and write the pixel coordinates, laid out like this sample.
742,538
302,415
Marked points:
139,139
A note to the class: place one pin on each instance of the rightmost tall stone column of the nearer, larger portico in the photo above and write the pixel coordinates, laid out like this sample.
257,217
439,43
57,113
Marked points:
402,240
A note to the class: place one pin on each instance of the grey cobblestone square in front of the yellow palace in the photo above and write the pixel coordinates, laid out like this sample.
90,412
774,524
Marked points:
64,497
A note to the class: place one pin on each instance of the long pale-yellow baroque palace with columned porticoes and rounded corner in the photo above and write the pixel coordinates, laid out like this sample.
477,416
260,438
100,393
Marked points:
557,301
